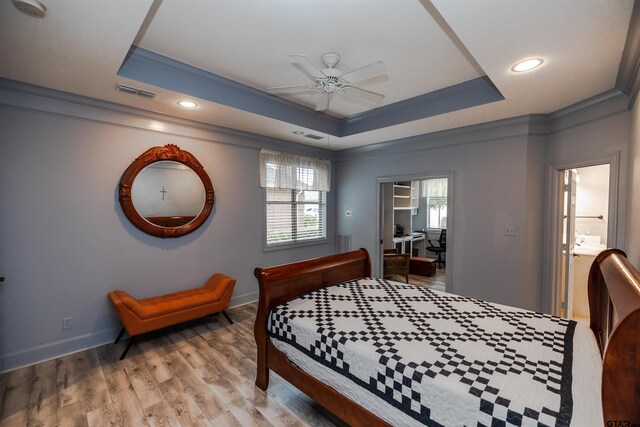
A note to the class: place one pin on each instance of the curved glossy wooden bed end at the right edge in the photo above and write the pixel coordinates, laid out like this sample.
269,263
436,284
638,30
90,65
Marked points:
614,305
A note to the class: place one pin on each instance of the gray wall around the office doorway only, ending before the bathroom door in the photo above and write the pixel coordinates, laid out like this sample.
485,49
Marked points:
492,166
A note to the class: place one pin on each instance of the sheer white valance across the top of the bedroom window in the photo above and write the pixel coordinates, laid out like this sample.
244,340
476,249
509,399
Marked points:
289,171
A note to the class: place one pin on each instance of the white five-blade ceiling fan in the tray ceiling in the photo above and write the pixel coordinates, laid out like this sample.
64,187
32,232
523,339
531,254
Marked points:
330,80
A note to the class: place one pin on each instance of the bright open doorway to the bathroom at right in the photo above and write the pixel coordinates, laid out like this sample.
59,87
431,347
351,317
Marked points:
585,232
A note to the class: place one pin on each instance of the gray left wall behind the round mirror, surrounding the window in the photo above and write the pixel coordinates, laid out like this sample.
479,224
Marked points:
66,243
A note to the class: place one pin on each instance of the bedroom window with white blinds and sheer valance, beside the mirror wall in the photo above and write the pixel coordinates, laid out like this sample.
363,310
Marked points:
296,190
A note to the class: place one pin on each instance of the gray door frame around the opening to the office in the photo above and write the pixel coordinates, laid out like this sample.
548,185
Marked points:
450,209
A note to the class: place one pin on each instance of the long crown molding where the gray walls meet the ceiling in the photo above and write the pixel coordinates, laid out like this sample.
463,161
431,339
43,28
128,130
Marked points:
51,101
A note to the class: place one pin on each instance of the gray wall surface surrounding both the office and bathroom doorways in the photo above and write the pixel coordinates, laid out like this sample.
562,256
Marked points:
501,173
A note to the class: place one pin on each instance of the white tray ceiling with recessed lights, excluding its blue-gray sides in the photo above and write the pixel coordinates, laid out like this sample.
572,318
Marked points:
427,45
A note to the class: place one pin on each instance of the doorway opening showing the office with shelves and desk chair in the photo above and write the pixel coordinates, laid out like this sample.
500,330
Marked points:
414,221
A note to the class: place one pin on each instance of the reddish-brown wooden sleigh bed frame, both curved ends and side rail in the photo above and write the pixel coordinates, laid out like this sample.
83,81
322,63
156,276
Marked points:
614,303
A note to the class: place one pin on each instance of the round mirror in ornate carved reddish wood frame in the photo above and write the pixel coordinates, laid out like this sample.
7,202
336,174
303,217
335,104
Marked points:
166,192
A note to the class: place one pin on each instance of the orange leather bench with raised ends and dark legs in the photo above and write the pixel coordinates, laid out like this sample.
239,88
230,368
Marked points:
149,314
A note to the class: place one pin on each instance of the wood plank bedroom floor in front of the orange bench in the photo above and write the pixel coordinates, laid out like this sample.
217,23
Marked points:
200,373
